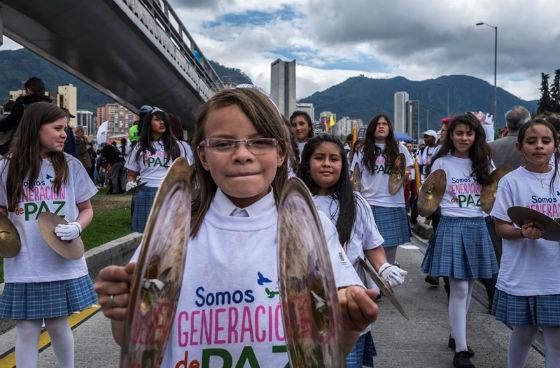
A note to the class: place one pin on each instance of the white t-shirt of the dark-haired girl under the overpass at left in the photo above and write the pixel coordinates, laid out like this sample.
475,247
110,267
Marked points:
153,167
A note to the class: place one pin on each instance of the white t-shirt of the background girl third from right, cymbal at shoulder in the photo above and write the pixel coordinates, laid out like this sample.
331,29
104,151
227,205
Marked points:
375,186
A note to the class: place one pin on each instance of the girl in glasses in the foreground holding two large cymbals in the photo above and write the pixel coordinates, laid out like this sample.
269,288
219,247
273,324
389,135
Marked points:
240,169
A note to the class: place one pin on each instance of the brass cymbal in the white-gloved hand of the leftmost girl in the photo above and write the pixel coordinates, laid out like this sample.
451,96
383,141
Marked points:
69,249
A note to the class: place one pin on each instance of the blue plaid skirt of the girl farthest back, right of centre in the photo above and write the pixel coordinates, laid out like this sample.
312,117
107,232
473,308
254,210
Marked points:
393,225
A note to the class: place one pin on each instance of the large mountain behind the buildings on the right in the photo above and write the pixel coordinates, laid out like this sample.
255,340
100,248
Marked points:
362,97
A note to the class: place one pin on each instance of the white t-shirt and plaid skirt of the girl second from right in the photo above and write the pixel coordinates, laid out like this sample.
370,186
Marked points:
461,248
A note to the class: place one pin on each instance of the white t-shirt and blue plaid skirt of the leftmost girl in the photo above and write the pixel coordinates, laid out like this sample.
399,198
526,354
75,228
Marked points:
39,283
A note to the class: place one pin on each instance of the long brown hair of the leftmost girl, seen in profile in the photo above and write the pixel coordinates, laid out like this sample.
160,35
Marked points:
25,152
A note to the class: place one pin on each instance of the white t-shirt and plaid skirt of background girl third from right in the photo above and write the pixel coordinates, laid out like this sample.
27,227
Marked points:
388,210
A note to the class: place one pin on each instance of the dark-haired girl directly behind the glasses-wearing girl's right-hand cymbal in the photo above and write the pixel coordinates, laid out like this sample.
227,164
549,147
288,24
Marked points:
324,169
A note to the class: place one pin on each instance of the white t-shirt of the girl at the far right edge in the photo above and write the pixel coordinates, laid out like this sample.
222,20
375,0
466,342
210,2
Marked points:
528,267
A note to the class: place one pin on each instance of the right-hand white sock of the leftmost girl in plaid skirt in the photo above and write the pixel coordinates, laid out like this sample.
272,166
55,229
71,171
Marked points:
62,341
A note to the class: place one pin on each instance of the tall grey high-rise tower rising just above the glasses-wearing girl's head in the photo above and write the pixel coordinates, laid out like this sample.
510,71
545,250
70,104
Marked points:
283,86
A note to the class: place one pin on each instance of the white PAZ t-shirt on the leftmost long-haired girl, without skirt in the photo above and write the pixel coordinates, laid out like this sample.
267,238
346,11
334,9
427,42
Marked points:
36,261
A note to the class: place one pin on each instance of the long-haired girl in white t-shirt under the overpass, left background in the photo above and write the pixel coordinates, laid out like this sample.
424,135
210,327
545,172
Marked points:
149,161
